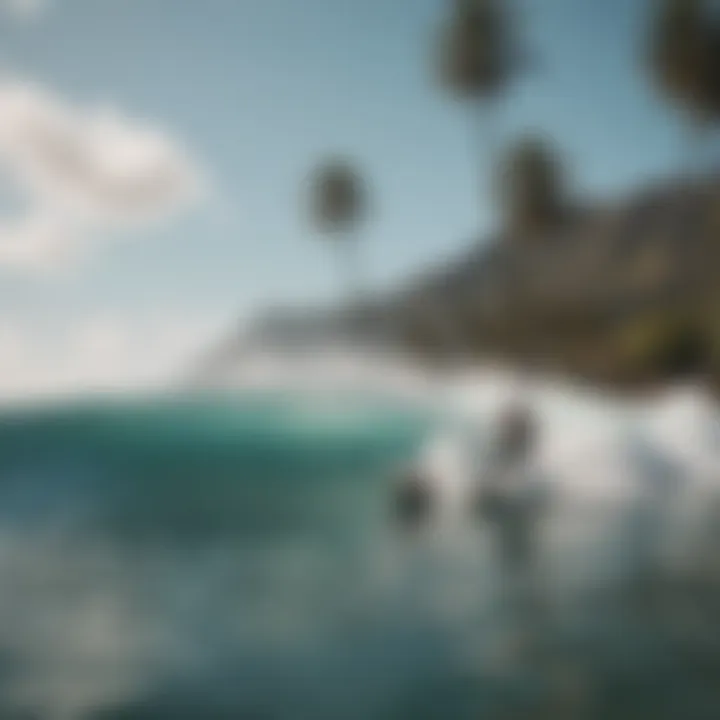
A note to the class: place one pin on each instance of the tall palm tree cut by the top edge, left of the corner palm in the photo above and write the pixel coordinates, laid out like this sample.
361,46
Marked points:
479,57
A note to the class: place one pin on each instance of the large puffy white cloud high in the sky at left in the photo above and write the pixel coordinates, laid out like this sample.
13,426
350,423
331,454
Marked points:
87,174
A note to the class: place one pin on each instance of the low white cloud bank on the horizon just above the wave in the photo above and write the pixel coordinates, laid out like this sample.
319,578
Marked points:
101,353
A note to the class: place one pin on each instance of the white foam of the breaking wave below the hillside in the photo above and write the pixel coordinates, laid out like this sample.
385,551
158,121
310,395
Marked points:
585,436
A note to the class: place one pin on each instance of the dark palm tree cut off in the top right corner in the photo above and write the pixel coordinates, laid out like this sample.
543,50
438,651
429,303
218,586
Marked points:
685,60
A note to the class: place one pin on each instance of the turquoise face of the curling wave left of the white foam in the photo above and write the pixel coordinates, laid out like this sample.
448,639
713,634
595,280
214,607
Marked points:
194,469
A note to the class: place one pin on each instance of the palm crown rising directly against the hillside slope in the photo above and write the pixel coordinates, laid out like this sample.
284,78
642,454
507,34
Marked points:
530,187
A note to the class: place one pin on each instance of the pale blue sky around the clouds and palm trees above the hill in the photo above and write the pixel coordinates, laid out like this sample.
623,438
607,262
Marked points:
254,91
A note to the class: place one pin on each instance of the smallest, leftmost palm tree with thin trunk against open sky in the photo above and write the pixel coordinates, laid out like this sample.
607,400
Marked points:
338,205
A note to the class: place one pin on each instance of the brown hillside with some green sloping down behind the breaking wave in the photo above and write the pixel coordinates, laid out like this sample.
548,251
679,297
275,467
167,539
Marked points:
624,295
